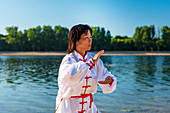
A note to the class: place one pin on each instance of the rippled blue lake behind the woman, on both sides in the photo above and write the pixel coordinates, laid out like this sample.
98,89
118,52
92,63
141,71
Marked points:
28,84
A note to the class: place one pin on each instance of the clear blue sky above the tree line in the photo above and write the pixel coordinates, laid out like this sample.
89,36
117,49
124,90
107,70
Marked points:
121,17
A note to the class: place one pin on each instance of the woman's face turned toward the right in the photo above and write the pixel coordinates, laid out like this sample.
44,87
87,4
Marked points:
85,42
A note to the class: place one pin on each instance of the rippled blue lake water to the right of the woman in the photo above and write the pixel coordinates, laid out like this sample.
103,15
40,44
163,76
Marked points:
143,83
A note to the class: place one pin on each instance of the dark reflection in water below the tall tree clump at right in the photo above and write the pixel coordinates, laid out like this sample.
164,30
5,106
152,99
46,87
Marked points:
145,68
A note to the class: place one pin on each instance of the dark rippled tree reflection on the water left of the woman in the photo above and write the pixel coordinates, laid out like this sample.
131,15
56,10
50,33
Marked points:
28,70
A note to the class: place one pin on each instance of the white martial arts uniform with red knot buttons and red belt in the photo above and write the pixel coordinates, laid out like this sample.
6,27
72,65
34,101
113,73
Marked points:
78,78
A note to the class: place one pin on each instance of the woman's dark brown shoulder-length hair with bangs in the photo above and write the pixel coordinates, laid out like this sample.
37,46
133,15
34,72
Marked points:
75,34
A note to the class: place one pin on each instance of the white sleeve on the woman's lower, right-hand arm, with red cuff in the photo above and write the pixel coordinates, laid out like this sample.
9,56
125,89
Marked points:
102,73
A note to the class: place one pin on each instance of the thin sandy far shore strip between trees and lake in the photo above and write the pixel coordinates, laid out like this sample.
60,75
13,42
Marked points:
107,53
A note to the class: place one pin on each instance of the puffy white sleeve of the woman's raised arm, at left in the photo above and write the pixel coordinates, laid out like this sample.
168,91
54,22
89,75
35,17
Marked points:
72,72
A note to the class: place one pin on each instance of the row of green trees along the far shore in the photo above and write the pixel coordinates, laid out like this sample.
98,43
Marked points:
47,38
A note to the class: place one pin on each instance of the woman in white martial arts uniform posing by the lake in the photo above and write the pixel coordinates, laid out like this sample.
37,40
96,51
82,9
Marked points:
79,73
